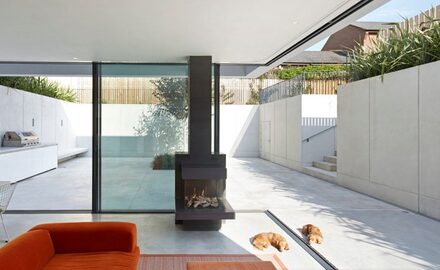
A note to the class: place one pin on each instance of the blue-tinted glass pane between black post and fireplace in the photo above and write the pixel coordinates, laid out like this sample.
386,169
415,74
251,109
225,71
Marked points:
144,111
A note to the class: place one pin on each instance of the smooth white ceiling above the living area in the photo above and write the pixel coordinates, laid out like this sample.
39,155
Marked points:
232,31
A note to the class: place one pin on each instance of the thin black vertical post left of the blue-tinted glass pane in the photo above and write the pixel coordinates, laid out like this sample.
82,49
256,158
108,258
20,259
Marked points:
96,144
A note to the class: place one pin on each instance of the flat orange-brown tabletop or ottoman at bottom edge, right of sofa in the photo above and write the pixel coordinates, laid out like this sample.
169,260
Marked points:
263,265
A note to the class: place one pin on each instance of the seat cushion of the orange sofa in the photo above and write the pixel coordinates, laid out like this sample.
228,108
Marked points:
94,261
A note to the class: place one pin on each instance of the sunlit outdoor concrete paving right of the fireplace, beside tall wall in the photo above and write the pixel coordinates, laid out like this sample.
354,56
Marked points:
360,232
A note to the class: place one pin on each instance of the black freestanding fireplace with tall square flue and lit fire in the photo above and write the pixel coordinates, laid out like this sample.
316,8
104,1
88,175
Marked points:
200,175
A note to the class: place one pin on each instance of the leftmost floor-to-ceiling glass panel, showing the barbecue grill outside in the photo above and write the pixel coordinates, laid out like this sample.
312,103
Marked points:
46,135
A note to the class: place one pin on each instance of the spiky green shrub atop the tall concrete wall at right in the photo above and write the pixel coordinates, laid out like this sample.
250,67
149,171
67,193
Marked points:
404,48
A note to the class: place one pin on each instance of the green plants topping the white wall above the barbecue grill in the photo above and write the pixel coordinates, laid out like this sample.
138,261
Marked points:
39,85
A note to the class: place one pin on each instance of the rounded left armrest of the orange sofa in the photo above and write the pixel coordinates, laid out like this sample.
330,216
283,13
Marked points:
30,251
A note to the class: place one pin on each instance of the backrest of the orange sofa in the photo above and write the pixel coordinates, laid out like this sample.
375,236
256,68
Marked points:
82,237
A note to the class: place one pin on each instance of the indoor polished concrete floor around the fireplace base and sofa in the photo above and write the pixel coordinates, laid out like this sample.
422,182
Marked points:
157,234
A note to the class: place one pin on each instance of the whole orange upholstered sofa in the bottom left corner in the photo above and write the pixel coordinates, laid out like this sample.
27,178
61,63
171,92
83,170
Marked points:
82,245
